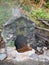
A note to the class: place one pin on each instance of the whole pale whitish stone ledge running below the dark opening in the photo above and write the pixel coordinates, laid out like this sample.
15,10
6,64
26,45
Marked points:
16,56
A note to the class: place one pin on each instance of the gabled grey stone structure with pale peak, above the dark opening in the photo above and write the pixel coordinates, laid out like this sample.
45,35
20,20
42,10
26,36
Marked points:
18,24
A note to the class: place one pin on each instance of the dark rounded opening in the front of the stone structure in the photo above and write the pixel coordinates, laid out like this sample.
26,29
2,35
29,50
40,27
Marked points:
20,41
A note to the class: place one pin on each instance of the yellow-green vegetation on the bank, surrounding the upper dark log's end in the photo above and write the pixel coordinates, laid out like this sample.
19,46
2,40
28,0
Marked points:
38,13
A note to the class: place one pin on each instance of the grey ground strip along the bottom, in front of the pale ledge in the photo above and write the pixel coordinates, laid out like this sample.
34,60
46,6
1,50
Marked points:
28,62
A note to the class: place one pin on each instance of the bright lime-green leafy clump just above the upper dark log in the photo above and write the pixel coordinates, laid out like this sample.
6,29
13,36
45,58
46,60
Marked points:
40,13
